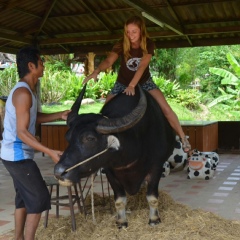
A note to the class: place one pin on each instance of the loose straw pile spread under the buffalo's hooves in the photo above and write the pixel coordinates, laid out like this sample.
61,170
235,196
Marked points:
178,222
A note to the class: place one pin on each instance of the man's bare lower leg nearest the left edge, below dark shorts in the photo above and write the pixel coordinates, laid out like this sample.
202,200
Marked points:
20,218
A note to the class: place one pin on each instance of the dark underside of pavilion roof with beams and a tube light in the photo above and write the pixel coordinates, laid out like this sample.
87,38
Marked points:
60,26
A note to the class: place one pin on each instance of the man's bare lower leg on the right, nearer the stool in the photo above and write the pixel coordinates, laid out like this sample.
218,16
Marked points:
32,222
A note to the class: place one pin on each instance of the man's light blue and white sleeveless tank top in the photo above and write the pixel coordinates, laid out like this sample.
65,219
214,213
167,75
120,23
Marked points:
13,148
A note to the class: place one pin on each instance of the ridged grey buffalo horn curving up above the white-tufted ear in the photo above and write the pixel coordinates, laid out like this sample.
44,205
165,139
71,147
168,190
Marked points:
115,125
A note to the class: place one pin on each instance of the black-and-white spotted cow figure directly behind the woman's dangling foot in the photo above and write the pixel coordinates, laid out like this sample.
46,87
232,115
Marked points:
178,159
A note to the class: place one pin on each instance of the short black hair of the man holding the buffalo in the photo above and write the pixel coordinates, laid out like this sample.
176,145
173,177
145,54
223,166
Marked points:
24,56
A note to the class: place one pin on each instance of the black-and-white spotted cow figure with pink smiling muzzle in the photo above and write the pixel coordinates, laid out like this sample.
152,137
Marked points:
200,167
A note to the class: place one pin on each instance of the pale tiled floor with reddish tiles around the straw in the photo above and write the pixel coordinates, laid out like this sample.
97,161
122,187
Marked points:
220,194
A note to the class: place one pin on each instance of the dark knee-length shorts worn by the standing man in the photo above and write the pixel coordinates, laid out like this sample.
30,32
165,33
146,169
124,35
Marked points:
31,190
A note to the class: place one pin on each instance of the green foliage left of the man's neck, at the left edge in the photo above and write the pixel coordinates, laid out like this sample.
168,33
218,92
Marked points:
8,79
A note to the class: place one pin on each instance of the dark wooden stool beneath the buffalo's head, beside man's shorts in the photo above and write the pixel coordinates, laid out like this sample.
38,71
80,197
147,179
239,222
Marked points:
73,198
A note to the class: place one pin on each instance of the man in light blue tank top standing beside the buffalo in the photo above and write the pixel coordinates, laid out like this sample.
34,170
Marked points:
19,143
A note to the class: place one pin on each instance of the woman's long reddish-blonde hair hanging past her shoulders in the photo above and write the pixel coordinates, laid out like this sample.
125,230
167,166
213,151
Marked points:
143,36
